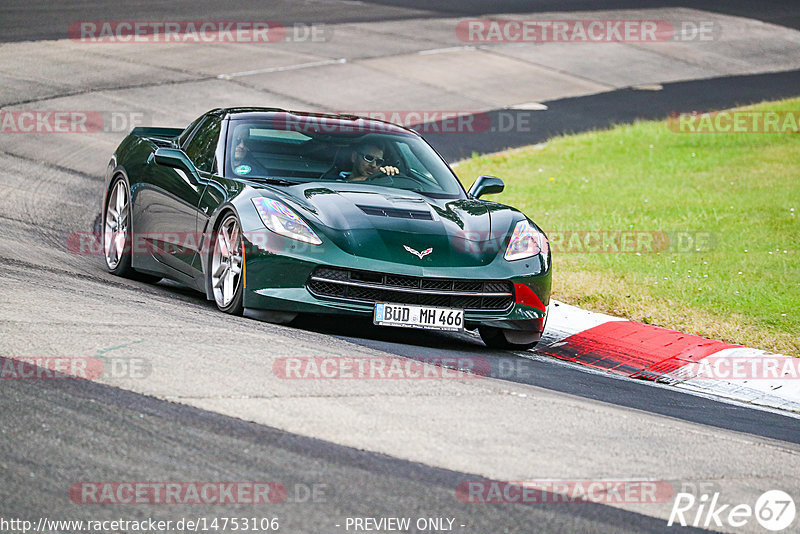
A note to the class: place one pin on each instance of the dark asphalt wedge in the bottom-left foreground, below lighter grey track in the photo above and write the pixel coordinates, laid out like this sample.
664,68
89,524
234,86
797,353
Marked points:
77,431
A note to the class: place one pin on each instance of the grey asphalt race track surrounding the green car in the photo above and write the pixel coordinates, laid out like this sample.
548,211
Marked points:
190,395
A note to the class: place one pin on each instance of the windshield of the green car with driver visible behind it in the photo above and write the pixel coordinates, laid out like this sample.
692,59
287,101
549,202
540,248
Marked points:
286,150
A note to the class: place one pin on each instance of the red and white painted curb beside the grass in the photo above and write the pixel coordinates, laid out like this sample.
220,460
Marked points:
685,361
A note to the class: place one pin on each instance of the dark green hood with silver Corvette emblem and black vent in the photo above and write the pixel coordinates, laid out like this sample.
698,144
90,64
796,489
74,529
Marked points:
406,227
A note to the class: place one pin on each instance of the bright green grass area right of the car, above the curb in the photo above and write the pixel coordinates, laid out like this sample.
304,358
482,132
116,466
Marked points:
741,190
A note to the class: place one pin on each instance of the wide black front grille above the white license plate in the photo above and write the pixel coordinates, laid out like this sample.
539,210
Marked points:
371,287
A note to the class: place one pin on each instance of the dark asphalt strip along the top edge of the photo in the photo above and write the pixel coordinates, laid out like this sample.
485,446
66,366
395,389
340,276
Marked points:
32,20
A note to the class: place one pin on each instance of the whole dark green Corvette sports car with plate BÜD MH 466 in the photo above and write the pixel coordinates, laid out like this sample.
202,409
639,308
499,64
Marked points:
272,213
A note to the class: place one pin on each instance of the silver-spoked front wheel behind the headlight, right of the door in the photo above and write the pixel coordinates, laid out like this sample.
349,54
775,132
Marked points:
226,266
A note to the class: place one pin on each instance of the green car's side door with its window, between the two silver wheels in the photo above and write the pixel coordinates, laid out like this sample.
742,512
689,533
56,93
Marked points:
174,228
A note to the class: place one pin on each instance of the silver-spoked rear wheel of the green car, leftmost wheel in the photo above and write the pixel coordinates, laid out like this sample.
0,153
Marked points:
117,234
